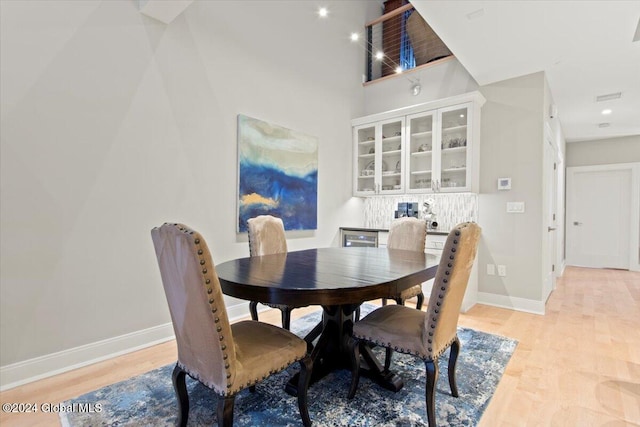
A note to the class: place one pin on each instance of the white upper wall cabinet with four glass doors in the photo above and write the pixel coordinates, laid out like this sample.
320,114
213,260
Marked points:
431,147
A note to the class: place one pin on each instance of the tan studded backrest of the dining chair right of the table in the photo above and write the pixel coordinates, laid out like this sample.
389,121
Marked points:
449,287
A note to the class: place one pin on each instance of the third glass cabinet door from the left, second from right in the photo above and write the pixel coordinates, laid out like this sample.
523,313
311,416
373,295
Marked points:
420,152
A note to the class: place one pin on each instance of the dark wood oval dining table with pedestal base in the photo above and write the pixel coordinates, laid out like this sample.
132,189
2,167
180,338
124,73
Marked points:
337,278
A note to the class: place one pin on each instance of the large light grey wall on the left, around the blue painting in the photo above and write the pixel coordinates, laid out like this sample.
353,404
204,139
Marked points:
113,123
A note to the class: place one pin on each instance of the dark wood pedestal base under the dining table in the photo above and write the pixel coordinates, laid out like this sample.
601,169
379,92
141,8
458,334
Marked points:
331,352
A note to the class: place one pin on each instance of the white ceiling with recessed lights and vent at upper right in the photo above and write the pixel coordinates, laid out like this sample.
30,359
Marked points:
586,48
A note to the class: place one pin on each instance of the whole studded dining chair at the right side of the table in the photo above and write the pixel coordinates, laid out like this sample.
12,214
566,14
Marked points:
425,335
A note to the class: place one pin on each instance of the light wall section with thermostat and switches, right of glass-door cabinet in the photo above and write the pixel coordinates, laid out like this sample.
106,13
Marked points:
512,146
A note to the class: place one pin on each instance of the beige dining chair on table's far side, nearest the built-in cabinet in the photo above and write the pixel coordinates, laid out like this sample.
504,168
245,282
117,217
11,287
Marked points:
408,234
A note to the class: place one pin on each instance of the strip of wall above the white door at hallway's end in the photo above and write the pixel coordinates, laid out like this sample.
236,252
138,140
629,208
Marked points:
604,151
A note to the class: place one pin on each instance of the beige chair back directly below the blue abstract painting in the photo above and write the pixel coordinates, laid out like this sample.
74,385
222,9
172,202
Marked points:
266,235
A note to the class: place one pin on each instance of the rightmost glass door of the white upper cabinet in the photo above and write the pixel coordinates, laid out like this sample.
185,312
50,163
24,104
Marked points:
454,153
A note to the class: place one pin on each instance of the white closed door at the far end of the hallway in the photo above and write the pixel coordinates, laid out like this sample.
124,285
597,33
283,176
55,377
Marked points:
598,217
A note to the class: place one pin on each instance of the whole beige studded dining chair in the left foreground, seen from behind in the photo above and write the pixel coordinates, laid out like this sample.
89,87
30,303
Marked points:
226,358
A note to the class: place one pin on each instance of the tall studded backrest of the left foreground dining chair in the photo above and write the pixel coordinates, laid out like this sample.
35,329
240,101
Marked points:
205,344
